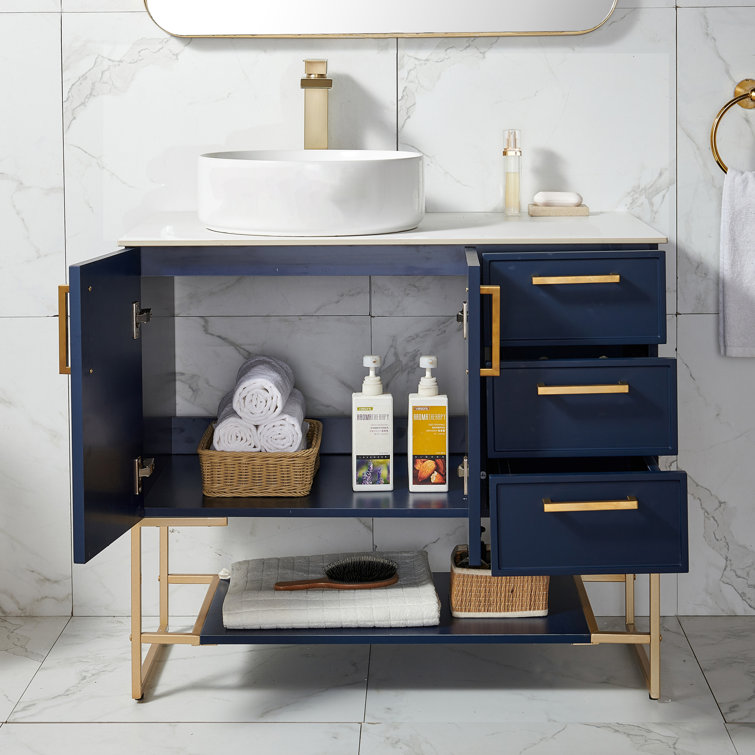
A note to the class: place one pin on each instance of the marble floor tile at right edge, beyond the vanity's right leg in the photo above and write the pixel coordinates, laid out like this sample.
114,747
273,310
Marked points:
724,648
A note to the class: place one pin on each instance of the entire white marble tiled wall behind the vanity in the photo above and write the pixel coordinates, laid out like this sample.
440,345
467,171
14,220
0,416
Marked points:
126,109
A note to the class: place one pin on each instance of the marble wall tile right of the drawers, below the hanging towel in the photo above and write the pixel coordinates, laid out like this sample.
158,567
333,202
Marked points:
716,446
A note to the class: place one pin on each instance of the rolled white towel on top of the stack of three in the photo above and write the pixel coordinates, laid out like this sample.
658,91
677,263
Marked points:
263,385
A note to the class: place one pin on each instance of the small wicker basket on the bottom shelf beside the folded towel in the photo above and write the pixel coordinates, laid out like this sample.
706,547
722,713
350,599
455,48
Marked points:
475,593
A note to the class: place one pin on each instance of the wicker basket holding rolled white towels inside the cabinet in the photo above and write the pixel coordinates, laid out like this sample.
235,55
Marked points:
229,474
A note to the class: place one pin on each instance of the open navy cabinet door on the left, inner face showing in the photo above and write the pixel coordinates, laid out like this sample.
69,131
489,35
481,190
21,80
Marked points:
106,400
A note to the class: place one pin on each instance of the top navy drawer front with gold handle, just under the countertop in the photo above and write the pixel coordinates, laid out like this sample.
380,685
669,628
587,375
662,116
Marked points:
571,299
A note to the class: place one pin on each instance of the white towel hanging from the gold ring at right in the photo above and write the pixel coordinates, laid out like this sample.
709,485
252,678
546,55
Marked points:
736,319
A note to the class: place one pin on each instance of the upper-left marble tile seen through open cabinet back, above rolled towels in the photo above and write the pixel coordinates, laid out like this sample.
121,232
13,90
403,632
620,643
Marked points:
250,296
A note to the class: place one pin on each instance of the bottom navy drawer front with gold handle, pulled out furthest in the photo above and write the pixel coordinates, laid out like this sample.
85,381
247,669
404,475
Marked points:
631,522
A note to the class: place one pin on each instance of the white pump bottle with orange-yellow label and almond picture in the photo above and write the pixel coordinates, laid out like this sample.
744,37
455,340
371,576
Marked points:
427,438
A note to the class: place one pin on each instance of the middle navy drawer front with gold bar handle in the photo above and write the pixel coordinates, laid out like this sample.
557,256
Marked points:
583,408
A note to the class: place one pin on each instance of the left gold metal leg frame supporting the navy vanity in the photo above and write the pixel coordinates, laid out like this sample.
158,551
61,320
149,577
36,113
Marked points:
141,669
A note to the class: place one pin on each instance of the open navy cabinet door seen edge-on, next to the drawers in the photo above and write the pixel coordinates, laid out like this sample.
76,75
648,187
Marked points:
474,415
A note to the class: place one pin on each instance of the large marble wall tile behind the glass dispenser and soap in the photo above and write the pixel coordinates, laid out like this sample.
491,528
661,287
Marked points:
456,98
